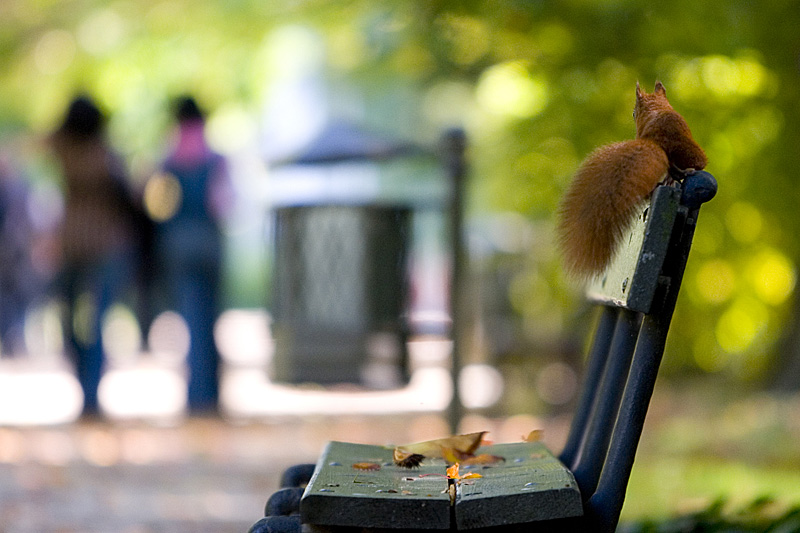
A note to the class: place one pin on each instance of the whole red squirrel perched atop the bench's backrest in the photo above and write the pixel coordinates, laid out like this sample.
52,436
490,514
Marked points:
614,180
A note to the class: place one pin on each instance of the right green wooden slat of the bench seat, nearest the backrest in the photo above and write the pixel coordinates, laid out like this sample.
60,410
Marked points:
530,485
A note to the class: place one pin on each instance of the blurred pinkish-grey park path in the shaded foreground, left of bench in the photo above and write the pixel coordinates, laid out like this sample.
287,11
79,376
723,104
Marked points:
202,474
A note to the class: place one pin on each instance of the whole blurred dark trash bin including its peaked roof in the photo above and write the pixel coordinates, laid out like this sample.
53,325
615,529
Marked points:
340,284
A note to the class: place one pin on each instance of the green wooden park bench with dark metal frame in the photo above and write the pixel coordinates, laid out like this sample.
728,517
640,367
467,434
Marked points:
582,488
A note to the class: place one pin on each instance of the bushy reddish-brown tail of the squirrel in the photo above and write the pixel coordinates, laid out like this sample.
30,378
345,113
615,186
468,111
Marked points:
601,202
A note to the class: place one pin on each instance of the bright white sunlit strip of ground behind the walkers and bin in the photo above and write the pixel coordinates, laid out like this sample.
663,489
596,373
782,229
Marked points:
150,385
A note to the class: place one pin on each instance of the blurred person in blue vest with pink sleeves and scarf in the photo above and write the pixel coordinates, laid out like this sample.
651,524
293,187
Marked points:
189,245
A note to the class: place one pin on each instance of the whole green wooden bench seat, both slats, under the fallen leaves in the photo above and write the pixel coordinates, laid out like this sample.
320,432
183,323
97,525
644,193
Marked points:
529,485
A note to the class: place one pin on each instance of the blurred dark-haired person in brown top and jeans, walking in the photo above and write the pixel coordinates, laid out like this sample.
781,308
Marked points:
98,236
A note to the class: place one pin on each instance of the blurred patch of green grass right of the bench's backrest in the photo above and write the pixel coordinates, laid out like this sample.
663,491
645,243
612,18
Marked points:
715,458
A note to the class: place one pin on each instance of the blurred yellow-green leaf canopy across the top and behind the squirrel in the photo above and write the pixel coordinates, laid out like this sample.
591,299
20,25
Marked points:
536,84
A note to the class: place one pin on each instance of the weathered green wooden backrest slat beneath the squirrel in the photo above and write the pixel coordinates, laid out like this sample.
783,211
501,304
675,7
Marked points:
631,280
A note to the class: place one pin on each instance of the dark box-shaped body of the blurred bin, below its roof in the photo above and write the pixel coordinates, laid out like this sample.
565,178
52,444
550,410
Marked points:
339,294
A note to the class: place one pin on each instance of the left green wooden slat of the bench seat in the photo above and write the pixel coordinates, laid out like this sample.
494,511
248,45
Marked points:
392,497
